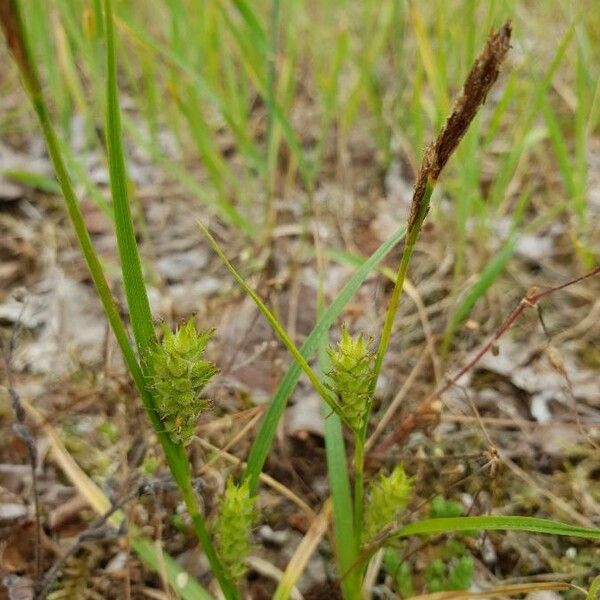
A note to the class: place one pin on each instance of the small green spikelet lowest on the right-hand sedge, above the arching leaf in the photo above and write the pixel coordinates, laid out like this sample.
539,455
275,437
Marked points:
387,498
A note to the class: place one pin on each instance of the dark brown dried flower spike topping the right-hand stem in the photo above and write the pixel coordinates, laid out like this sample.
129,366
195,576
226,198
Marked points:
480,79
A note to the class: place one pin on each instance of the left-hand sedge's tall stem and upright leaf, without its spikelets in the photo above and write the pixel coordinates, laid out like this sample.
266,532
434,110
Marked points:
135,289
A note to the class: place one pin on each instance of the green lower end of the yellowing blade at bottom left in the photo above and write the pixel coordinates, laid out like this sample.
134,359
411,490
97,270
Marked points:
185,586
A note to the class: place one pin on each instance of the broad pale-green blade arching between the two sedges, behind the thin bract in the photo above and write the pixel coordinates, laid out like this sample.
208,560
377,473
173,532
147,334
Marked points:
268,427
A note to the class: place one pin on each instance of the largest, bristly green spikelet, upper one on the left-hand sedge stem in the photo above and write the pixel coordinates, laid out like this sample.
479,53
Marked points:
179,374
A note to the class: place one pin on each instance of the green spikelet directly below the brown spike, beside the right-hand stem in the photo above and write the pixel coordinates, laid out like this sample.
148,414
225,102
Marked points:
350,377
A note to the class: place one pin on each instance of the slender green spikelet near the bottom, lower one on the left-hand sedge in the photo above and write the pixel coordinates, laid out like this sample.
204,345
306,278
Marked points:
233,526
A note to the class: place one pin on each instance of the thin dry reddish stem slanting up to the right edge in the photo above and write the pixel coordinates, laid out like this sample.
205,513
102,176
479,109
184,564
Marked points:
426,414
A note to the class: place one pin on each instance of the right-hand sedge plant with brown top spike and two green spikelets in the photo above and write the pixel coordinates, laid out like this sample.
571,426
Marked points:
349,387
